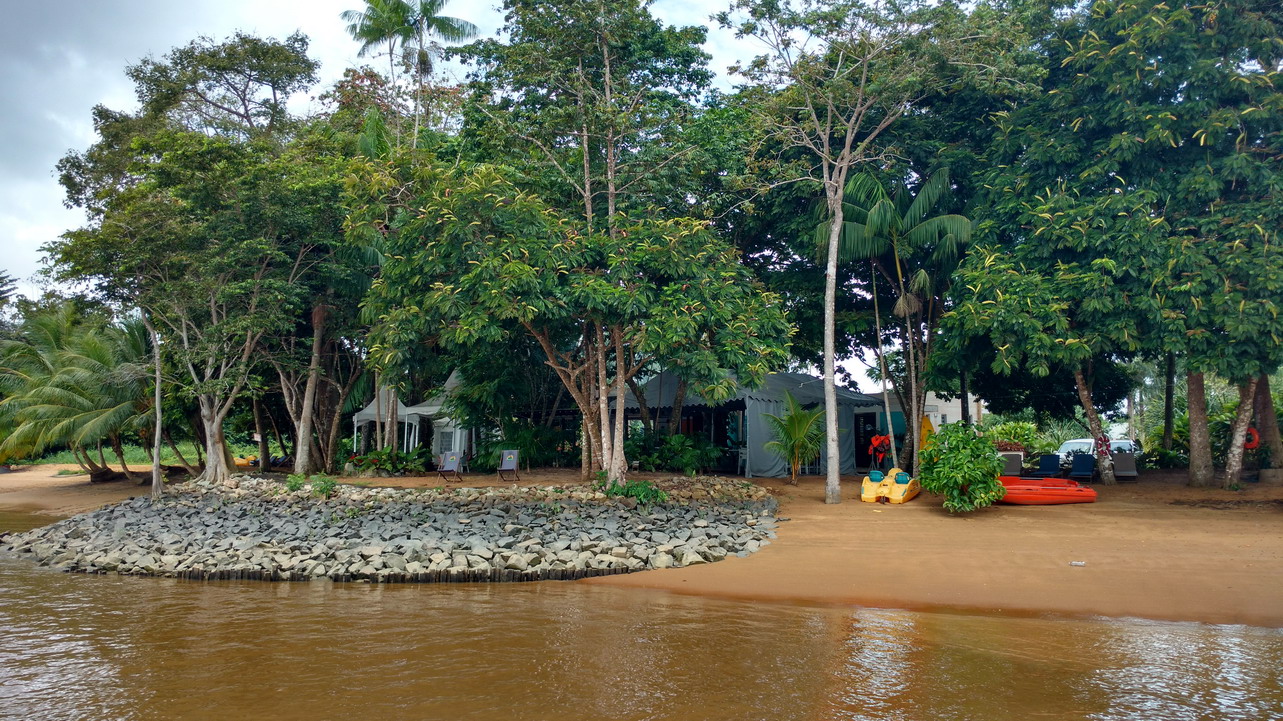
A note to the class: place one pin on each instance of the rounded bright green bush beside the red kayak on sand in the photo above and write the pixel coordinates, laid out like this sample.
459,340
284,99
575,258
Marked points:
963,466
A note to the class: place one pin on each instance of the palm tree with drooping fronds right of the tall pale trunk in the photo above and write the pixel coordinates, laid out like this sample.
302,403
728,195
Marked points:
917,252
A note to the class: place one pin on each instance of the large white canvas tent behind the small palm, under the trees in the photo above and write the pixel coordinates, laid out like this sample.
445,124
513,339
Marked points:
809,391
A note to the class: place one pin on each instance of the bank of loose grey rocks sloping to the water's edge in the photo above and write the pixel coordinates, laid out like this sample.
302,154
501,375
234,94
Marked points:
252,528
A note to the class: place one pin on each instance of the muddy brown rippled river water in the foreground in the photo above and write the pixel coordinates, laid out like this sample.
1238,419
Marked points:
110,647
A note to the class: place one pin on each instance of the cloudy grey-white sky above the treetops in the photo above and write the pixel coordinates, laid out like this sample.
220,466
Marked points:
60,58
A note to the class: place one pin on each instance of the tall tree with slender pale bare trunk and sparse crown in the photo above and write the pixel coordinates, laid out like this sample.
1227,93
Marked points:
835,78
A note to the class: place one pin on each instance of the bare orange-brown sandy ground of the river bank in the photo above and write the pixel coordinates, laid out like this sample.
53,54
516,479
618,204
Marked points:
1154,550
